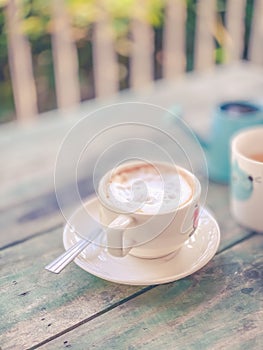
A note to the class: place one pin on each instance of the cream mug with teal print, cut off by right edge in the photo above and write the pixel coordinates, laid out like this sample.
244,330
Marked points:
247,178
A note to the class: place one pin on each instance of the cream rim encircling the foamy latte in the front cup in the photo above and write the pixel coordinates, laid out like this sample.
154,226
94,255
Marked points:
196,193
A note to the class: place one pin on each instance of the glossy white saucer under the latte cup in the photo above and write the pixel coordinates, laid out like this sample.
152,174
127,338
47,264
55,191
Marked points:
194,254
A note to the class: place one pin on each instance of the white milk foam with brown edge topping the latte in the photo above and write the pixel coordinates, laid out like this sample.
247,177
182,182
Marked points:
147,189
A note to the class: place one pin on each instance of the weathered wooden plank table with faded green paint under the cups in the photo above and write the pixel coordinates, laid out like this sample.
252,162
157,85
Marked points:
218,307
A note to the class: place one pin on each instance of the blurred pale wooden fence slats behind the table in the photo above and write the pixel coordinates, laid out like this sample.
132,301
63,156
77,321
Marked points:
105,68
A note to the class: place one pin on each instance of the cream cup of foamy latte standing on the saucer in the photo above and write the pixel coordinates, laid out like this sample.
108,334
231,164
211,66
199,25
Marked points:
133,227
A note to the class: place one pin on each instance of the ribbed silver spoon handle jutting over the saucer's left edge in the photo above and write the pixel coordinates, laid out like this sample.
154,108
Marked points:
64,259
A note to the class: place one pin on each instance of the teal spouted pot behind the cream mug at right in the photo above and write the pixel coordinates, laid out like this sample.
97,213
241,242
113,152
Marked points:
228,118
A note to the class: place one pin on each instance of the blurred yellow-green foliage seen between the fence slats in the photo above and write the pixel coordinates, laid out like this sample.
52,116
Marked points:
37,26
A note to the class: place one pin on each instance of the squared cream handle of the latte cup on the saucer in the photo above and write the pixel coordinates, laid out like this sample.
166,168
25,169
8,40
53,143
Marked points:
115,236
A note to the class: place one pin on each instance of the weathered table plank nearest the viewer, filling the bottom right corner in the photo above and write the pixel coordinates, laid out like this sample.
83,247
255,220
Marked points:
219,307
